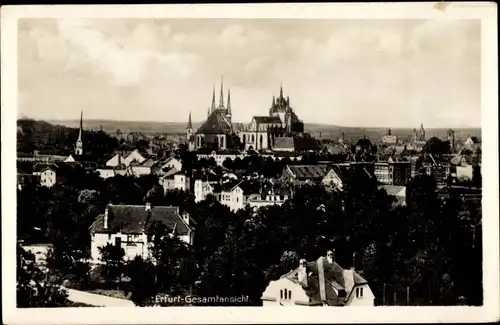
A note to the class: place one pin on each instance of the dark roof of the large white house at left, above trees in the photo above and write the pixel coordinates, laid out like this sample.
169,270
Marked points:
135,219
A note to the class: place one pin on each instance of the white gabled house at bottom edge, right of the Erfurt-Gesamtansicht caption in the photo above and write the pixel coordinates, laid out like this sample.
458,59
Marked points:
319,283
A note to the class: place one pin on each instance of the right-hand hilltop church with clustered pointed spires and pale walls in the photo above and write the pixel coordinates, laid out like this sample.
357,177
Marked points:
264,131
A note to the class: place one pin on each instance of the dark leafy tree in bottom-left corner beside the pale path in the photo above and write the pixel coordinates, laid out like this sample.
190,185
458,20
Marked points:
34,287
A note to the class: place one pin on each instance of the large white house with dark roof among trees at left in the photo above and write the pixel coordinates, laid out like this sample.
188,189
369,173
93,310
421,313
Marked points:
127,225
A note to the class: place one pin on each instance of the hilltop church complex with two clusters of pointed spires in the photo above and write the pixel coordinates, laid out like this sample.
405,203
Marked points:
219,133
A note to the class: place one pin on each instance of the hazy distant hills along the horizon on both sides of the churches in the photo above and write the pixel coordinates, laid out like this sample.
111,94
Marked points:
327,131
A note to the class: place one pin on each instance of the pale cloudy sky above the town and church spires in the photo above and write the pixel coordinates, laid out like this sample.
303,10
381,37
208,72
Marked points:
365,73
